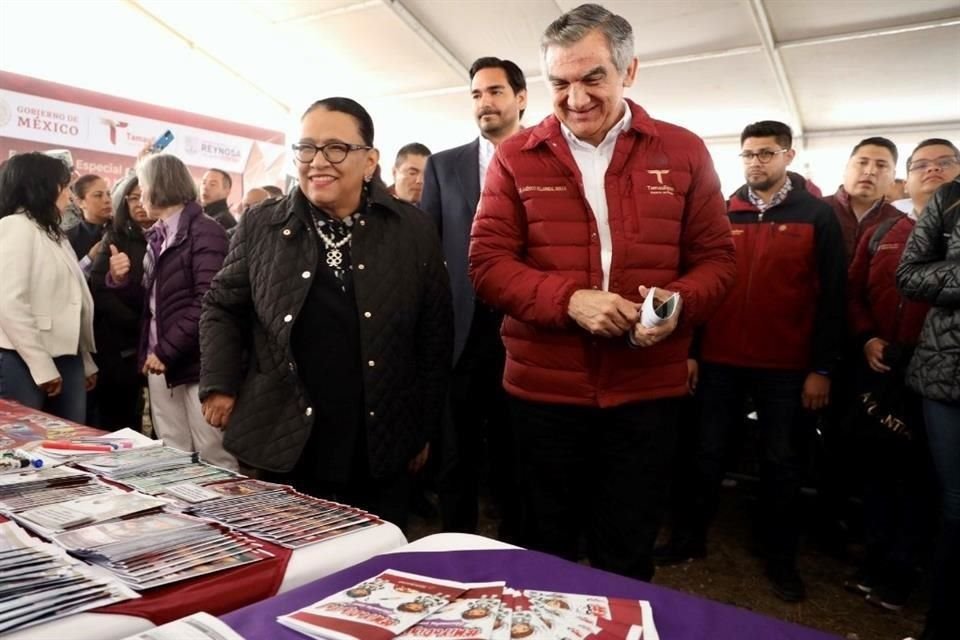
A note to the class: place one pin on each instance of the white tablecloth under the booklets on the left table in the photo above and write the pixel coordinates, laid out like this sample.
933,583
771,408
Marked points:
306,564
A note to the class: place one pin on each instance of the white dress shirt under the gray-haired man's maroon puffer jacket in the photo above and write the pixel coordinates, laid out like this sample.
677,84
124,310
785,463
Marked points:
593,163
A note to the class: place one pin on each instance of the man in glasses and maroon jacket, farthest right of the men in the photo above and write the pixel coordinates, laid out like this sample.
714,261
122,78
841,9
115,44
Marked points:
888,326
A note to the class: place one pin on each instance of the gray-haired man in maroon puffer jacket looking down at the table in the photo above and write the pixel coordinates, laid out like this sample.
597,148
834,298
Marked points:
580,217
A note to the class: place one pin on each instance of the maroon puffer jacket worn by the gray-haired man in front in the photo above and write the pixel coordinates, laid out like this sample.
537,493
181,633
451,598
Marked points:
534,243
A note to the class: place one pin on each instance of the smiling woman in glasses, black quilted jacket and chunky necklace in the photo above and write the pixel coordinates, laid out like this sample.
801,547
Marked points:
326,336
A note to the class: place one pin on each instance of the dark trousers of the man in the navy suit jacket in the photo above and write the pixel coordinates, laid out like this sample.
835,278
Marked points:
481,433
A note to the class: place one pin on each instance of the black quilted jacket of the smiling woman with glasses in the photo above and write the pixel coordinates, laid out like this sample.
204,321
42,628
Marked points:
403,299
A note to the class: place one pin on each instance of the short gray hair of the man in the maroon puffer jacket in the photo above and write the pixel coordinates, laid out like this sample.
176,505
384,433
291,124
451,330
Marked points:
576,24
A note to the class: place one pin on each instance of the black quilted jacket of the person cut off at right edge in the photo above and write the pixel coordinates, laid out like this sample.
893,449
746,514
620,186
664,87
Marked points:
930,271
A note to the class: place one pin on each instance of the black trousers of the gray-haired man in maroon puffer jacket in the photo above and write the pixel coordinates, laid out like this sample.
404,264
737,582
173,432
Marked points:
602,474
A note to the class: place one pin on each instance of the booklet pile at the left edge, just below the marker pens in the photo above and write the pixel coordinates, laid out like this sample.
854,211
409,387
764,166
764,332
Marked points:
48,485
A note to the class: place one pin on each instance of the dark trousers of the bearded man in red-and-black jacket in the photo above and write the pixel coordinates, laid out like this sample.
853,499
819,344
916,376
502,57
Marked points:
776,397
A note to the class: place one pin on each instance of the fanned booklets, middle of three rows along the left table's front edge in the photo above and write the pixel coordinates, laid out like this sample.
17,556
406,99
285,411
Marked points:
161,548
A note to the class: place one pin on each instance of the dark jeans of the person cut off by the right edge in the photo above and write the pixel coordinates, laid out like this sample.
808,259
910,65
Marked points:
943,433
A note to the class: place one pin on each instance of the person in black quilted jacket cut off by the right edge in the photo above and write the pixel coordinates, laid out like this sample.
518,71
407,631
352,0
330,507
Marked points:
929,272
